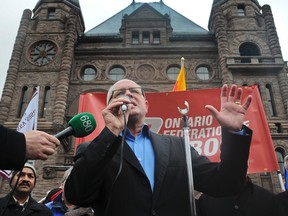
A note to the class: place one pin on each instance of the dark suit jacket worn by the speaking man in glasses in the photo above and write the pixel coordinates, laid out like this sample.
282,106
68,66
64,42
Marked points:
92,178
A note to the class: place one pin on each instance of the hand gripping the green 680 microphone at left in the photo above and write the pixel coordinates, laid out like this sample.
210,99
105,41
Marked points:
40,145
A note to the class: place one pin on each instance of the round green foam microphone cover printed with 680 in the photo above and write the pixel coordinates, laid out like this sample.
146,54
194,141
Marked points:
83,124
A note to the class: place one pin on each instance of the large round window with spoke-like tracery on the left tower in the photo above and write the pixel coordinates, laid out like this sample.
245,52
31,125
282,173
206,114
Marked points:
42,52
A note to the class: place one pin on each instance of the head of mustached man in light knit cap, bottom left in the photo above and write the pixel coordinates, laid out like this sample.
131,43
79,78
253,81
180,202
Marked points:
26,182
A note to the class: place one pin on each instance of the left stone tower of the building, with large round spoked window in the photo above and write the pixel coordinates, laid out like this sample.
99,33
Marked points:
43,55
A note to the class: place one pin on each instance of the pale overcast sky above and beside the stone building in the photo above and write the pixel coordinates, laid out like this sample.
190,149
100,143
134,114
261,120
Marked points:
95,12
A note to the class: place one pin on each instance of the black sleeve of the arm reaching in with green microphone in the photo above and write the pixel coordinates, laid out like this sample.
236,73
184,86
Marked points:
13,149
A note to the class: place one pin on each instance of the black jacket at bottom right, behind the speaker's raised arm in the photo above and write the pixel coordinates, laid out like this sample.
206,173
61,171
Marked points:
252,201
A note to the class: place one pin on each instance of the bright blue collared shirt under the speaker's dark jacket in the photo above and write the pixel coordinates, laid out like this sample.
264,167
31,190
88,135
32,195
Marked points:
143,149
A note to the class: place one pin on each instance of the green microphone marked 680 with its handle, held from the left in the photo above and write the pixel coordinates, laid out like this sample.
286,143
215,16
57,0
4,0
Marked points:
80,125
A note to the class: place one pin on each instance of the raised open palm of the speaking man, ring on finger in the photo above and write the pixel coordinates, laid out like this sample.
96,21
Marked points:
232,112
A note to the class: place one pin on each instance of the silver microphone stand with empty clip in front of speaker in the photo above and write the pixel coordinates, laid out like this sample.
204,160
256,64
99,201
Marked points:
188,158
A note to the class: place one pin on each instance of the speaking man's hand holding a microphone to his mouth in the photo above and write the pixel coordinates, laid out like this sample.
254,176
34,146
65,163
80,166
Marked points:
113,115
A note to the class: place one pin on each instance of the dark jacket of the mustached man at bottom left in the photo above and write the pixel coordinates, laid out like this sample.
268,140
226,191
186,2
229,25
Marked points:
33,208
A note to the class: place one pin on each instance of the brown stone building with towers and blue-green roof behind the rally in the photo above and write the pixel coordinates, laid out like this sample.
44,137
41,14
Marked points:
143,42
